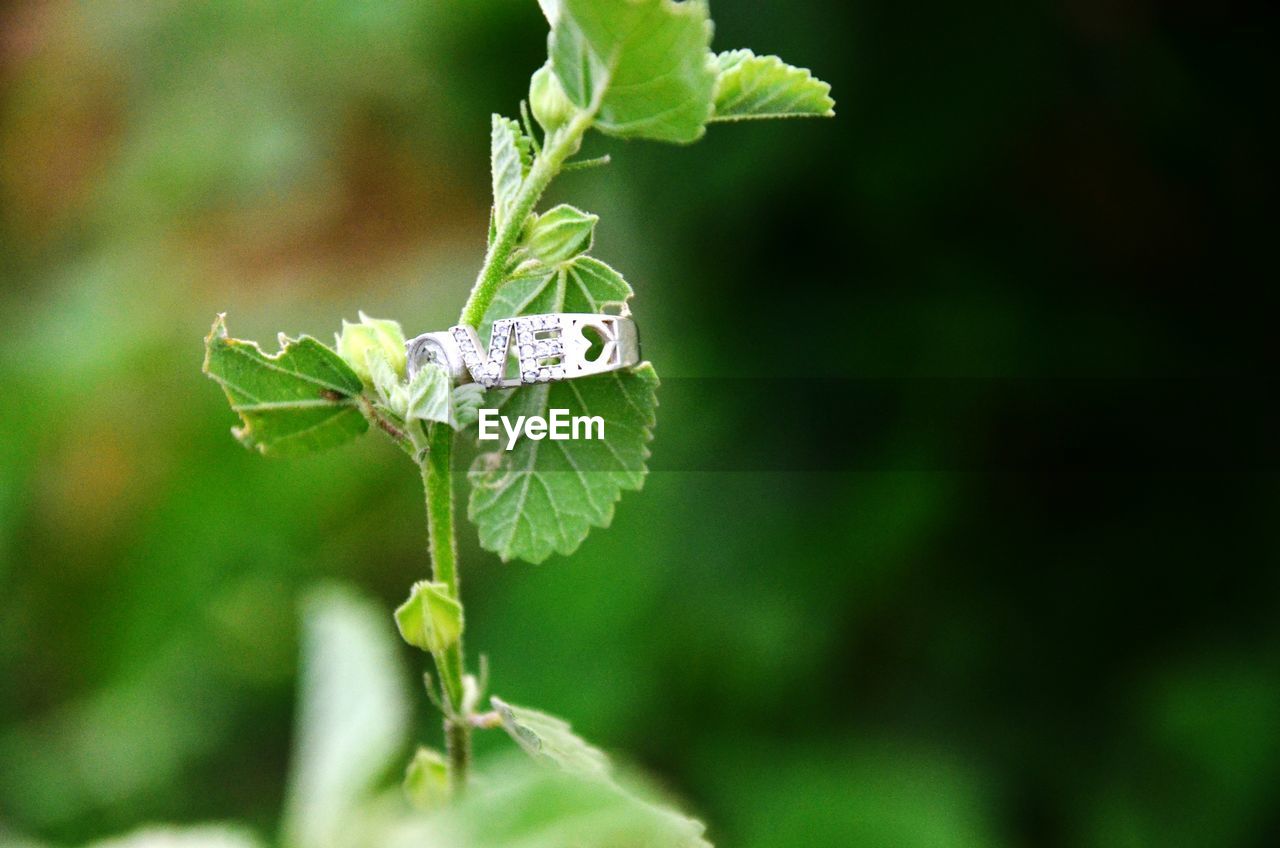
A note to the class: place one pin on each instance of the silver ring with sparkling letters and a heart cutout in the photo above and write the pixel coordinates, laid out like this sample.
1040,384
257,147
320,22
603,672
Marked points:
529,349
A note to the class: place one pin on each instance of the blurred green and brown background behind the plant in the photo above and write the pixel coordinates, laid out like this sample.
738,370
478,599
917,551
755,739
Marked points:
881,658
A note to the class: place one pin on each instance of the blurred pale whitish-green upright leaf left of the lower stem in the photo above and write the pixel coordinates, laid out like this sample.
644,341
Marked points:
354,717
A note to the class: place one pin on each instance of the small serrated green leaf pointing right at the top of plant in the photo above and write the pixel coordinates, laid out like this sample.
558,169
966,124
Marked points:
757,88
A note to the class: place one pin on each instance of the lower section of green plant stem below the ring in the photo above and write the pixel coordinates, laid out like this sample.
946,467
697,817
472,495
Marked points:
438,484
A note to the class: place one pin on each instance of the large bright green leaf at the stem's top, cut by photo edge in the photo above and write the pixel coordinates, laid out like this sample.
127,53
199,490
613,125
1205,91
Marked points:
647,63
